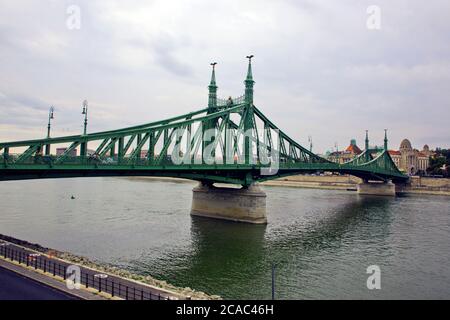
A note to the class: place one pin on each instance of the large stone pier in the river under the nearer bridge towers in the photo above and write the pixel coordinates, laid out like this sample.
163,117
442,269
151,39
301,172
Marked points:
242,205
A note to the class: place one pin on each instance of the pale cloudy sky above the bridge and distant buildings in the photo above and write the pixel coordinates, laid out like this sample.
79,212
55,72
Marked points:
319,69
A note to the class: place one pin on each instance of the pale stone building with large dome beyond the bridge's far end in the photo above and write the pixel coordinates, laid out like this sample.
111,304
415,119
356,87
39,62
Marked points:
410,160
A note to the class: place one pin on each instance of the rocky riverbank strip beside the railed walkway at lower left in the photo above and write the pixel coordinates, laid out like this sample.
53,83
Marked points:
163,287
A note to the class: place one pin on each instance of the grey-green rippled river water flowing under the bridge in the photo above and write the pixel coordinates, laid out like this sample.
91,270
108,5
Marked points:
321,241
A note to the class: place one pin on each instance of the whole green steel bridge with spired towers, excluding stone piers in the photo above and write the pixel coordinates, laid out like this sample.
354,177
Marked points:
242,147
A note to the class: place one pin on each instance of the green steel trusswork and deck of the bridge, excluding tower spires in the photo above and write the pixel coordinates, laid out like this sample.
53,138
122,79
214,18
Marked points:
295,158
